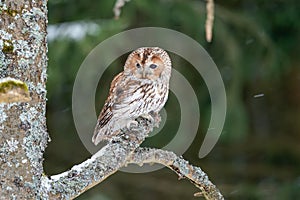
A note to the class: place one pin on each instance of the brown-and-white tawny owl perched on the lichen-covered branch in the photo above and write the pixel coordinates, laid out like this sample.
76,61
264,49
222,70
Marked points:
140,89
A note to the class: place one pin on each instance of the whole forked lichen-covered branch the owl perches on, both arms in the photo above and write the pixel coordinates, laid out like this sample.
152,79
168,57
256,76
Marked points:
123,149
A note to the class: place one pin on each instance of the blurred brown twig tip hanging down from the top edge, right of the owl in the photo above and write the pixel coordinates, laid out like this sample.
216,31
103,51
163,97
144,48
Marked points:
209,19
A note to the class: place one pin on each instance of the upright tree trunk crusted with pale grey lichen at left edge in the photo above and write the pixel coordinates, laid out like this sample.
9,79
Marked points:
23,134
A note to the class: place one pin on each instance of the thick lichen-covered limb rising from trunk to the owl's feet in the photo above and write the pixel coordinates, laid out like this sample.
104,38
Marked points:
101,165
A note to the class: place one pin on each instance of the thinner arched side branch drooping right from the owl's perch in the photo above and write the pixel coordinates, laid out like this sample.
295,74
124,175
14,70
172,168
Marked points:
180,166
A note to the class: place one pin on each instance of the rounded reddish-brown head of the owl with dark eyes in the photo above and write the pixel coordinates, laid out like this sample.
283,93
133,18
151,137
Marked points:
152,63
